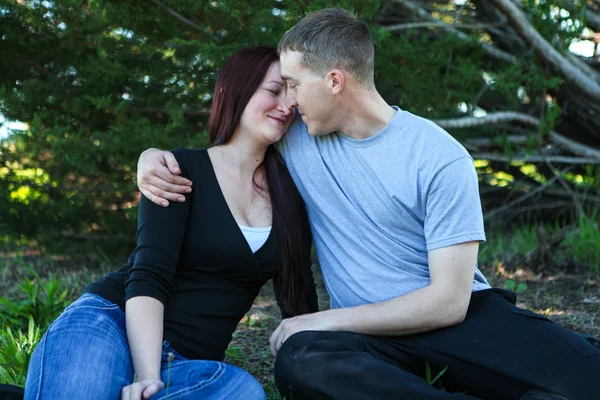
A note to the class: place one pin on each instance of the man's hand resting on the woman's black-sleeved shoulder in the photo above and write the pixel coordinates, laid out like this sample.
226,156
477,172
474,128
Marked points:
158,180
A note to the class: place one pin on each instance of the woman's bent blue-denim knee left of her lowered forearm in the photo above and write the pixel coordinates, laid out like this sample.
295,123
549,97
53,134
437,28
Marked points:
84,352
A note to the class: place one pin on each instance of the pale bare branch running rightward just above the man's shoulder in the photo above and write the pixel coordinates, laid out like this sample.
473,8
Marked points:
511,116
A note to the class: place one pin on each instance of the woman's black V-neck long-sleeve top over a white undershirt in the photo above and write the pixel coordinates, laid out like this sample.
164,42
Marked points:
194,259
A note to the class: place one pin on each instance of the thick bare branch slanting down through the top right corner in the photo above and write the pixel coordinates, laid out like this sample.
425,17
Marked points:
546,52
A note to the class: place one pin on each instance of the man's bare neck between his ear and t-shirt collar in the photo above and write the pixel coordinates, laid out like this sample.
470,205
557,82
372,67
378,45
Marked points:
366,115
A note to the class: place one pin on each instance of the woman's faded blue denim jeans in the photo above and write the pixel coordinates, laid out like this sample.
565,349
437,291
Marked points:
85,355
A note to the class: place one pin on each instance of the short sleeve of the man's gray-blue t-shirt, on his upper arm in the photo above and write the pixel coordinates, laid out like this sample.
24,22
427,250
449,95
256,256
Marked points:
453,206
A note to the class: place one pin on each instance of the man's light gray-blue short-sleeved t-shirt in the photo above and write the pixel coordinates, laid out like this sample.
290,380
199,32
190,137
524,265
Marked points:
378,205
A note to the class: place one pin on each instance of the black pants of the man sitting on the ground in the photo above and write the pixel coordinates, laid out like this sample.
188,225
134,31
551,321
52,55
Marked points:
498,352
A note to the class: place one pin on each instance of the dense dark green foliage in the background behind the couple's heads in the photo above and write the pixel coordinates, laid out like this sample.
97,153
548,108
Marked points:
98,82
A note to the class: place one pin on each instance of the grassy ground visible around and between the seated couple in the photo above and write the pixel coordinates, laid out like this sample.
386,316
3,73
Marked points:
554,271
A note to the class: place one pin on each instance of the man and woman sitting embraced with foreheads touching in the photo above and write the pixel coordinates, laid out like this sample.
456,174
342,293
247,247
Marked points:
395,214
